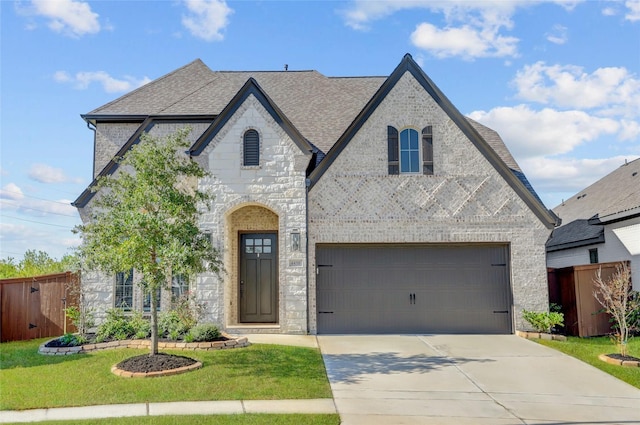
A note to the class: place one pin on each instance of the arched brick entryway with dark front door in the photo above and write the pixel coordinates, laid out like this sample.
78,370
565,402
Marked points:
252,238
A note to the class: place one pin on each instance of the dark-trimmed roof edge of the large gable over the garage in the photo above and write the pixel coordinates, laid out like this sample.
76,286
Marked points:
469,127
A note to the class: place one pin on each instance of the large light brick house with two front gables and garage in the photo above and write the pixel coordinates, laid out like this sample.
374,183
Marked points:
342,205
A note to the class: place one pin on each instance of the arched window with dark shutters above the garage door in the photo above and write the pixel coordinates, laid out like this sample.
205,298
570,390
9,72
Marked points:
405,151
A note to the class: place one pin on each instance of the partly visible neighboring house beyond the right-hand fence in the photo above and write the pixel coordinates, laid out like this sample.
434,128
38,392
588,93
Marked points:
600,223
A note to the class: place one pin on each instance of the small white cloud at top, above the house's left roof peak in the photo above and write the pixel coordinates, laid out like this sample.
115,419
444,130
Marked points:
207,18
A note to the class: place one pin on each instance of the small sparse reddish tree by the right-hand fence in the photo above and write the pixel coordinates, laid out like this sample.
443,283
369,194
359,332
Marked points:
619,300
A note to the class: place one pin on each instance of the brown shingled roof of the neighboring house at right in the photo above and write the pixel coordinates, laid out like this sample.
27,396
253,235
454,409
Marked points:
614,197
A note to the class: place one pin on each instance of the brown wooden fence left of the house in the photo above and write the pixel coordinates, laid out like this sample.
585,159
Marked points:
33,307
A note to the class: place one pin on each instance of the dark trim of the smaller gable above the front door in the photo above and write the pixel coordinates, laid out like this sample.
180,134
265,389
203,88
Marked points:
251,87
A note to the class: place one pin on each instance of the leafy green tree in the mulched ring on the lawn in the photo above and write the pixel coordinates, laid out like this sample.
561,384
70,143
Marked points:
146,218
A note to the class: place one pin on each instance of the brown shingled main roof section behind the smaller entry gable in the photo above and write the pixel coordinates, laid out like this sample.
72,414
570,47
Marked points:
319,107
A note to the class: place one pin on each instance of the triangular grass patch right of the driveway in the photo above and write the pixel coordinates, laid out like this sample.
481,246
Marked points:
588,350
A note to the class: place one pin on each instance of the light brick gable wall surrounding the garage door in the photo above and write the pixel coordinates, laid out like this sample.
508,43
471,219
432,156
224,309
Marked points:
465,201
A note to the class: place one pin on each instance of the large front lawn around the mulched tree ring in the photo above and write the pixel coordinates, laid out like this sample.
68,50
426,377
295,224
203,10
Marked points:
30,380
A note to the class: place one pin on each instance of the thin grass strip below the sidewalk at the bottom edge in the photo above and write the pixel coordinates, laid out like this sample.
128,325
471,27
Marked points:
248,419
